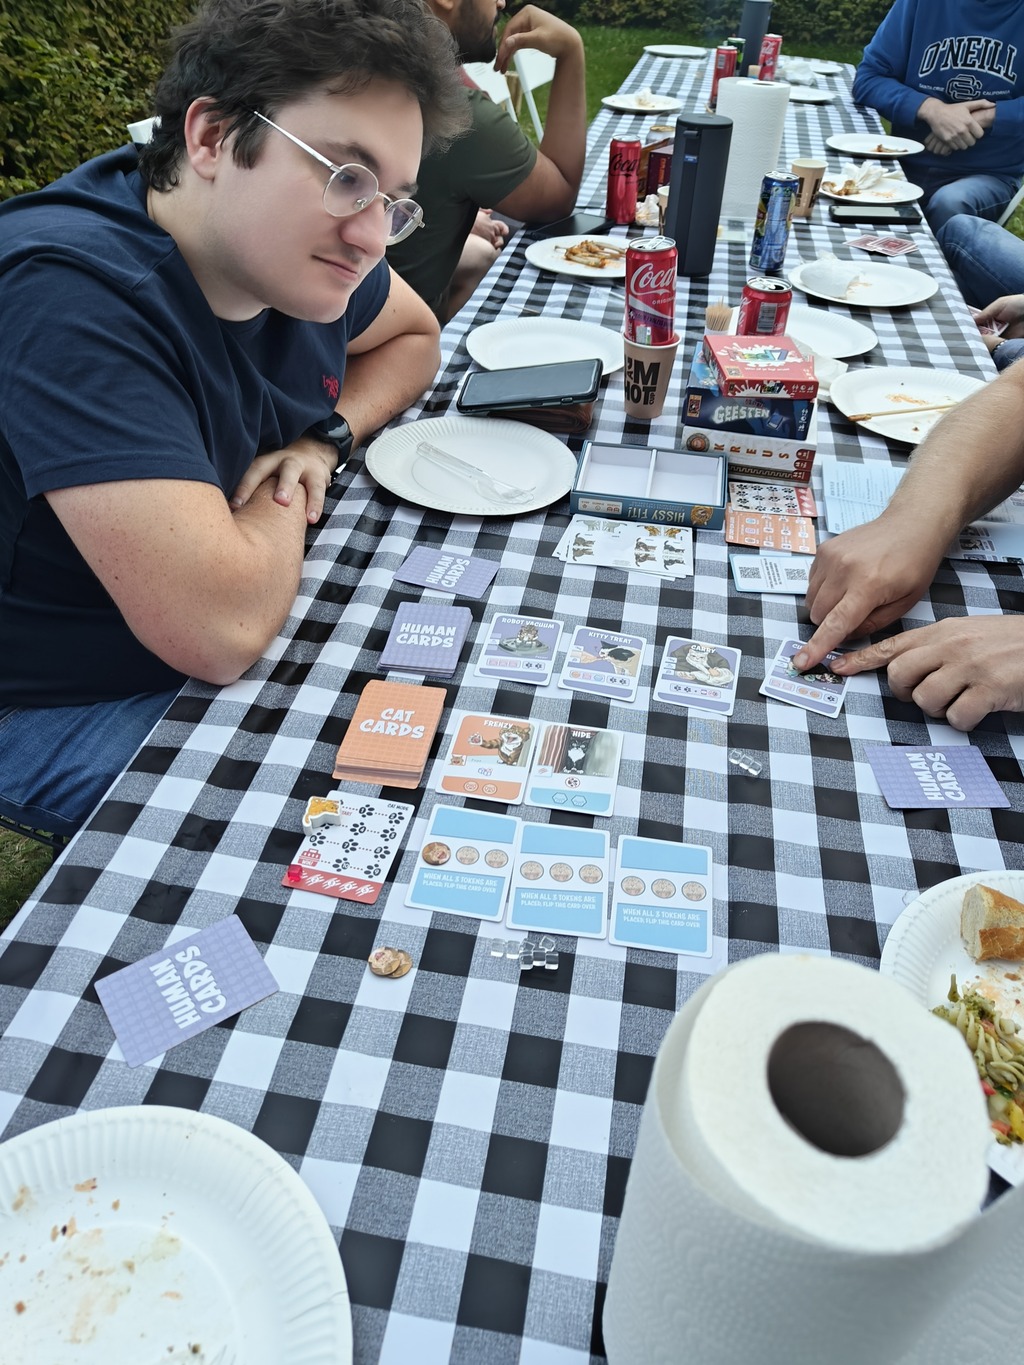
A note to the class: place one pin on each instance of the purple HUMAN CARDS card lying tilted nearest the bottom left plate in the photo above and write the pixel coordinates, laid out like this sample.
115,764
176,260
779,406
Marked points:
185,989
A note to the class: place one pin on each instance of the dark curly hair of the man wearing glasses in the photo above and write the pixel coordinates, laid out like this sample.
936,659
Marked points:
251,55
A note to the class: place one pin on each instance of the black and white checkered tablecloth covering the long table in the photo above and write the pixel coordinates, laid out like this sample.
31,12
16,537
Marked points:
469,1132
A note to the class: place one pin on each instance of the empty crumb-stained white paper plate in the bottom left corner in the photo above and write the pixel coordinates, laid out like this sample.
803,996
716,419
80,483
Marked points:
137,1235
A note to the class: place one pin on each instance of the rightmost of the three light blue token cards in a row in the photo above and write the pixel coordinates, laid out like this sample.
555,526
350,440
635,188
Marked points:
662,897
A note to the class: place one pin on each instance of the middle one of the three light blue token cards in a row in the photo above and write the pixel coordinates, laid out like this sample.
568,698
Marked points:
560,884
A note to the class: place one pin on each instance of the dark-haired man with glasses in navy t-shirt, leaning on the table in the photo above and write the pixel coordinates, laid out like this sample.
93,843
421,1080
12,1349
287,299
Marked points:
192,339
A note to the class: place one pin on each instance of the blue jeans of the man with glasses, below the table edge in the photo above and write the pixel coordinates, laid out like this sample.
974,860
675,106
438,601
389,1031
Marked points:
57,764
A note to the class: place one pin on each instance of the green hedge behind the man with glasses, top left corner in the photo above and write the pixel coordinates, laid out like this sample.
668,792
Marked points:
72,76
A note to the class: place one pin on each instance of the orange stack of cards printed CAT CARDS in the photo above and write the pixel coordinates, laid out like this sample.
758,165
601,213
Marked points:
390,736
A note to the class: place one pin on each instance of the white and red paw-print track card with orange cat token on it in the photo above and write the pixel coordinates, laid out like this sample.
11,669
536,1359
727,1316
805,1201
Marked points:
350,847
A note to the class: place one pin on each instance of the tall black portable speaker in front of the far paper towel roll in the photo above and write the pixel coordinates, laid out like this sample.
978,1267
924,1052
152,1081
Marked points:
700,162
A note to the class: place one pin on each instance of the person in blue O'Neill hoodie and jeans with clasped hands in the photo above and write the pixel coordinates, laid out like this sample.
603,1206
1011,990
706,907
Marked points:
948,73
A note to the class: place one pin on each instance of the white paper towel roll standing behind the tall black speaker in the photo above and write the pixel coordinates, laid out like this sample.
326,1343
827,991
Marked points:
758,111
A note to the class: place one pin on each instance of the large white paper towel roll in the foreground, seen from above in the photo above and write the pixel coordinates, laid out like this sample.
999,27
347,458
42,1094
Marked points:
806,1183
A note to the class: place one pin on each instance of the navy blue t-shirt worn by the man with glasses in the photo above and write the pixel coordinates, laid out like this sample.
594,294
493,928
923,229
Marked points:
113,367
